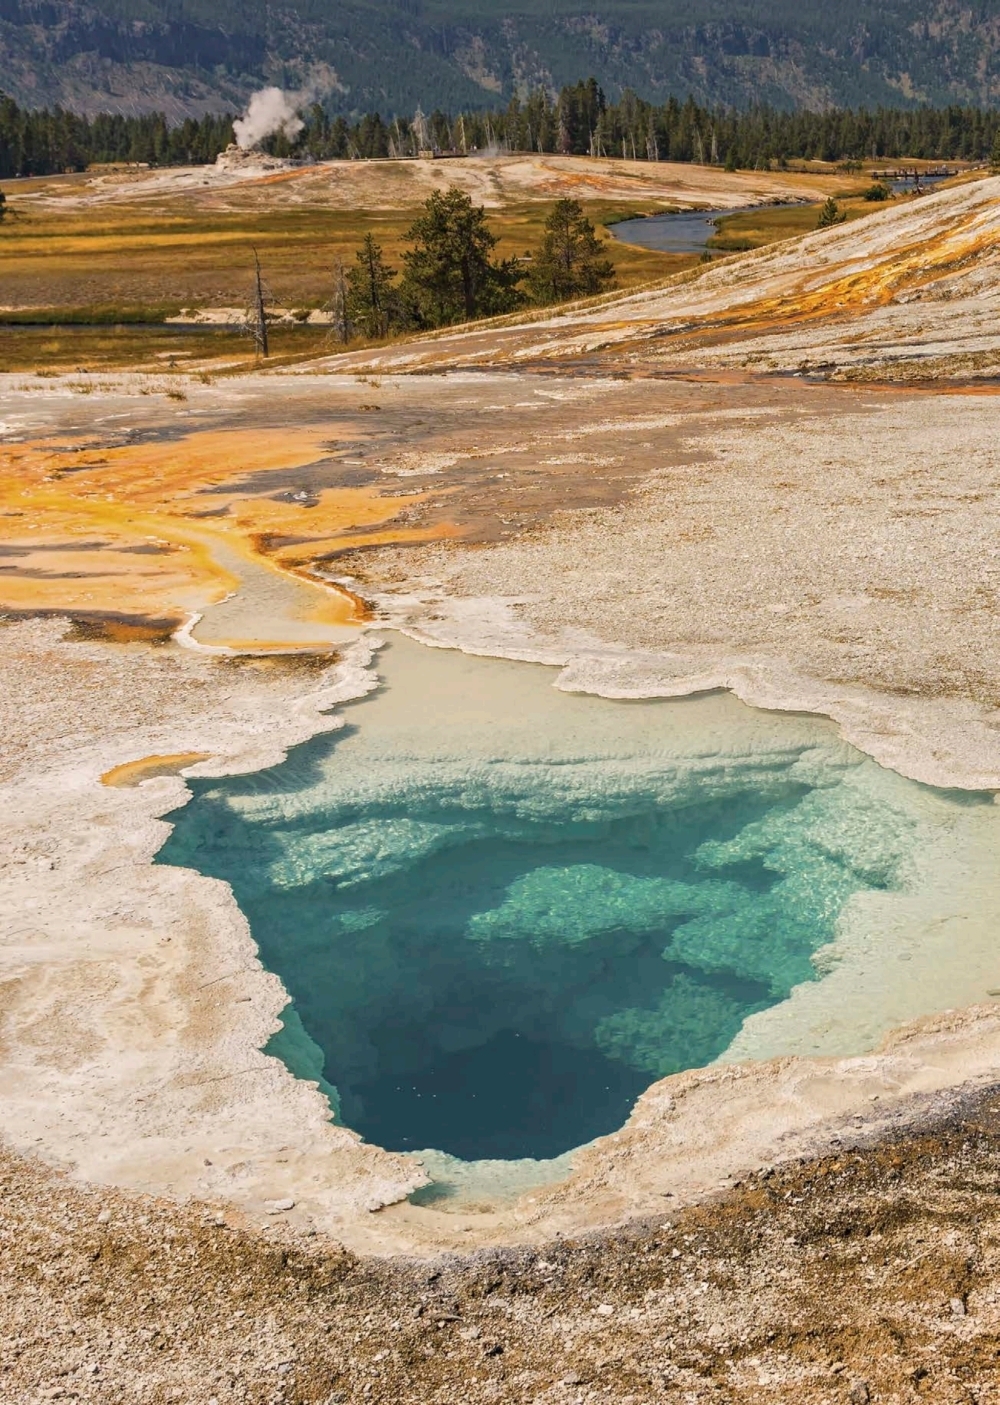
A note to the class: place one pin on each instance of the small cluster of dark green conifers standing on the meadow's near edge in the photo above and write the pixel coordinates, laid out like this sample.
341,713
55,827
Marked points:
450,270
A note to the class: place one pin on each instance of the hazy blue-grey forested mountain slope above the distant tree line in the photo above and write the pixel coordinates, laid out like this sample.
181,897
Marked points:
388,55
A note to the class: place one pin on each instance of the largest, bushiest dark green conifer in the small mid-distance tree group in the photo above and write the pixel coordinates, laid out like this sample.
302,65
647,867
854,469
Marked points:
452,275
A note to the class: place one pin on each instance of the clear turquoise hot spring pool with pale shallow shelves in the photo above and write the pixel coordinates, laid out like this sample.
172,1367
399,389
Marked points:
502,911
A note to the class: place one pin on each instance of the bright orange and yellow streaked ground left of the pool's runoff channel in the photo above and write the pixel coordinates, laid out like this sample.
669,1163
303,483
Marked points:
126,529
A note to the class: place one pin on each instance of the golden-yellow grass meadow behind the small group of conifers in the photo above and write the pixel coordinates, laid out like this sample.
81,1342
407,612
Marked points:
92,286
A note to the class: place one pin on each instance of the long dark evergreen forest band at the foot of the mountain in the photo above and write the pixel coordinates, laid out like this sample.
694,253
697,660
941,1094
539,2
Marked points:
578,122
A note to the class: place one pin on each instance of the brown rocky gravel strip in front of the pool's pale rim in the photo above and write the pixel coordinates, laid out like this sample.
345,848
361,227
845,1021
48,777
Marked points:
866,1276
